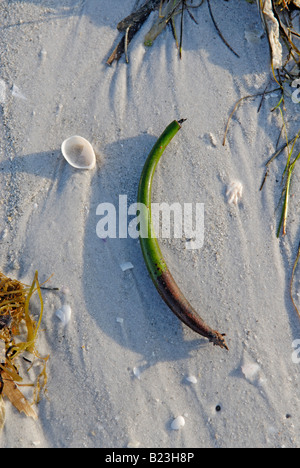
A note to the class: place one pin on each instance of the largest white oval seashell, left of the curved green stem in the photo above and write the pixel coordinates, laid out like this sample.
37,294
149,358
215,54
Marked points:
78,152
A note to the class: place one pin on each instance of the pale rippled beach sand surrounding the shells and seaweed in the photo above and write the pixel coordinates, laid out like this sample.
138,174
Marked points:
118,371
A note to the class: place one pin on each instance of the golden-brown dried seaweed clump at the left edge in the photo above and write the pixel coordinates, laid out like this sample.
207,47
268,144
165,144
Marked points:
18,334
